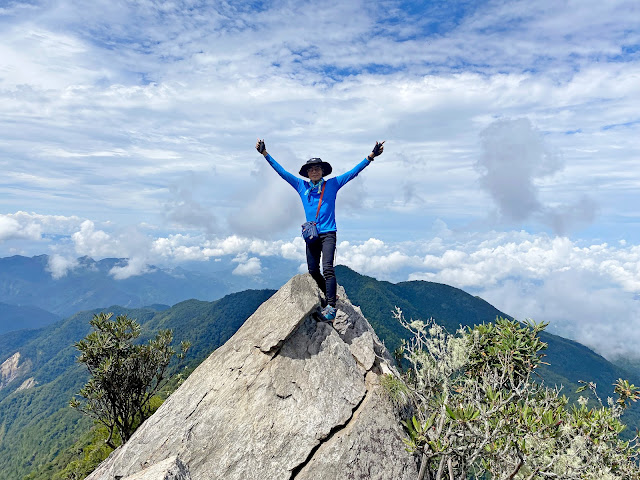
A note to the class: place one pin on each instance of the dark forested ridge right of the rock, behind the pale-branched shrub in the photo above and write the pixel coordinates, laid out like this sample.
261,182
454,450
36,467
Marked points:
566,362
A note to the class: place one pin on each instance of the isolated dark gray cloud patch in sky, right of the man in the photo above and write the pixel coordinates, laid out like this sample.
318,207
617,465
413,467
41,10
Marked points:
514,159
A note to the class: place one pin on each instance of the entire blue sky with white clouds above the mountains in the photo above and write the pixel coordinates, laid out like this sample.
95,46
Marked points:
510,168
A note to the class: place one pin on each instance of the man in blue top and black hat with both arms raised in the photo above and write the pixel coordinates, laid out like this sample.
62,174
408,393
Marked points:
318,197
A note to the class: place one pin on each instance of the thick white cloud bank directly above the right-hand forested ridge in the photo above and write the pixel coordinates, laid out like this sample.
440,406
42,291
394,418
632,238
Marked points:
589,293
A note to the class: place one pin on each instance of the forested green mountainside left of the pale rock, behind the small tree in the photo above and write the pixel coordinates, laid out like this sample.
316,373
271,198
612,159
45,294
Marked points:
37,425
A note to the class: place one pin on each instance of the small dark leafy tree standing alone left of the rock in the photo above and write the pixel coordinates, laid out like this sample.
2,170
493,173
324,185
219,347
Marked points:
124,375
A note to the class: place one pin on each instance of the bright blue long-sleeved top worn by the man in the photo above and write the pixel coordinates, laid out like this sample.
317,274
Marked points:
326,221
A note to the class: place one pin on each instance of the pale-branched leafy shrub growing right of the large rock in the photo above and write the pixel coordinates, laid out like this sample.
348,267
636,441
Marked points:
478,414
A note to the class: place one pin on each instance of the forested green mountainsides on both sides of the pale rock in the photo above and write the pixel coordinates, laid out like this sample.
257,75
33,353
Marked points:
37,426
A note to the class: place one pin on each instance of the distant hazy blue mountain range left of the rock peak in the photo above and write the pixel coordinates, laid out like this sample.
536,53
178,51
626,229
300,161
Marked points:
35,281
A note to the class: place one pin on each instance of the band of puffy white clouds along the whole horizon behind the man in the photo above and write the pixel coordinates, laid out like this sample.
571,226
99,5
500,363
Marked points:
587,291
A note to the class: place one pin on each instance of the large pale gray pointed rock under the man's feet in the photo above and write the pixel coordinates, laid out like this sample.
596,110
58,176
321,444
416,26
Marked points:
286,397
